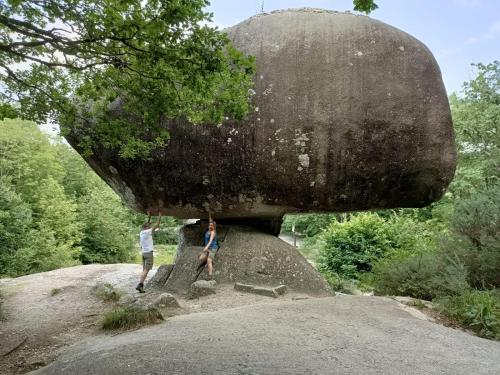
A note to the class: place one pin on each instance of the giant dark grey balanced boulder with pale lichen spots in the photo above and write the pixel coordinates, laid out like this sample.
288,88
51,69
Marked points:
350,114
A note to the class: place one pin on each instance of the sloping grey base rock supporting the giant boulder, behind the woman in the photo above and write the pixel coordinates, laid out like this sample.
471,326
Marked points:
246,256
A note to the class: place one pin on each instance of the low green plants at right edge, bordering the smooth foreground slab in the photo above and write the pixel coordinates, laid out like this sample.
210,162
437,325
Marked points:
478,310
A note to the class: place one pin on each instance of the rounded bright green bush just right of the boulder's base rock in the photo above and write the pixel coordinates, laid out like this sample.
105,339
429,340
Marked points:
352,247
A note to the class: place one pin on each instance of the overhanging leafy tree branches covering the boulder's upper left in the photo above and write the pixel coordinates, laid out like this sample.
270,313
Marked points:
68,60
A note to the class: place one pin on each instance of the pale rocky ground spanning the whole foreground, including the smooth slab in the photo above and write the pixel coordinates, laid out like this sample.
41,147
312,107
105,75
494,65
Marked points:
228,332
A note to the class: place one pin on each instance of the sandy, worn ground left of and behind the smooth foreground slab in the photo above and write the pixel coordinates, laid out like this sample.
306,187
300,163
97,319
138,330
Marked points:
37,324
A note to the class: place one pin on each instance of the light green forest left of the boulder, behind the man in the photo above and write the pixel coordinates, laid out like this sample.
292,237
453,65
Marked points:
56,212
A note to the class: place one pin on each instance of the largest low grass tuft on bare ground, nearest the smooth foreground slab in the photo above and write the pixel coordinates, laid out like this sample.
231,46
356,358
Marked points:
130,316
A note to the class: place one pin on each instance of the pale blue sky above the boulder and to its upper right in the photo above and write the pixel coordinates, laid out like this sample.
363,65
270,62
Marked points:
458,32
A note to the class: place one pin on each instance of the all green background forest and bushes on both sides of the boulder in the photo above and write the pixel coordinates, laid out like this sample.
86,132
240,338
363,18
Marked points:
56,212
